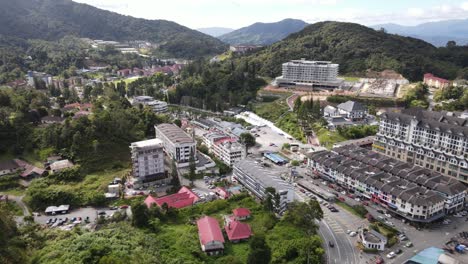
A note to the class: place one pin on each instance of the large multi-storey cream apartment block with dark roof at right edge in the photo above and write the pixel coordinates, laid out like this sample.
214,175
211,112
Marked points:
433,140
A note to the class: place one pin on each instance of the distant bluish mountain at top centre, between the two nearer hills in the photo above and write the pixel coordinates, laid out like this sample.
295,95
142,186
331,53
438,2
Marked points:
263,33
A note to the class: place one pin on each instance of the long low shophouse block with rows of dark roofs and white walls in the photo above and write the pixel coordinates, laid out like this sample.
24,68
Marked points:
415,193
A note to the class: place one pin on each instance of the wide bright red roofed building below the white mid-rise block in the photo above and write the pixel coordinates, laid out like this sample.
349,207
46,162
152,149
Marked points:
183,198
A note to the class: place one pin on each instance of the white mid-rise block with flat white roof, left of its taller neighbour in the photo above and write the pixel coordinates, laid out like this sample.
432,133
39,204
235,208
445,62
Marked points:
148,163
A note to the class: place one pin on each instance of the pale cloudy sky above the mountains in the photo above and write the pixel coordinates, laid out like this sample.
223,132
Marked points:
240,13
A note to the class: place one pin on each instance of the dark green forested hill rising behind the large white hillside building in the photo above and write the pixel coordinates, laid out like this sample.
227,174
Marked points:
358,48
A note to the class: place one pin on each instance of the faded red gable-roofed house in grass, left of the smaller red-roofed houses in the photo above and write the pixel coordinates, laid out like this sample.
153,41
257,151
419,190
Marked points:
211,237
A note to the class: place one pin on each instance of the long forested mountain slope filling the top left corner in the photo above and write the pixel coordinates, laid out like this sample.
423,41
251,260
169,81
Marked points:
54,19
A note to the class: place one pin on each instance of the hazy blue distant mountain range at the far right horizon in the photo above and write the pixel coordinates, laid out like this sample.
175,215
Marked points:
436,33
